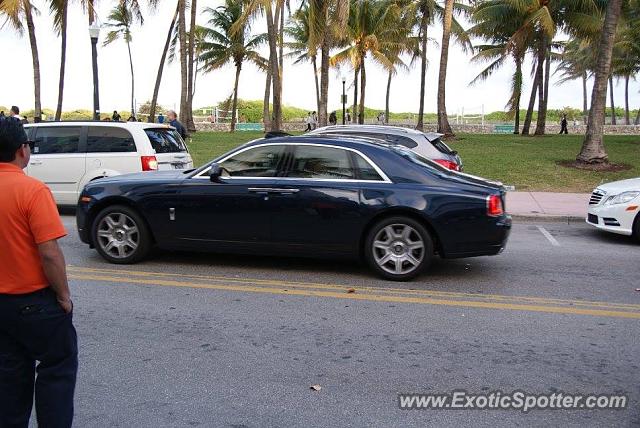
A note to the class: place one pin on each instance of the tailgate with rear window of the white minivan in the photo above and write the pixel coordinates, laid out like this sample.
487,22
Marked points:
170,150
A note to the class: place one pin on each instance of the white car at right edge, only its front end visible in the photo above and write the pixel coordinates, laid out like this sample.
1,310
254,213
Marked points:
615,207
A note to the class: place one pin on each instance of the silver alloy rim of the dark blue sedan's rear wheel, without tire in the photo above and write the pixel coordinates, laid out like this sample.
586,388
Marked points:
398,249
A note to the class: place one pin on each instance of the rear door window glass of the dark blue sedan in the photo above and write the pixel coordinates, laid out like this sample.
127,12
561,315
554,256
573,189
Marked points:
321,163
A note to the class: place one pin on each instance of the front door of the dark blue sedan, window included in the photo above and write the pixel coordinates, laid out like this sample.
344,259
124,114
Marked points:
236,209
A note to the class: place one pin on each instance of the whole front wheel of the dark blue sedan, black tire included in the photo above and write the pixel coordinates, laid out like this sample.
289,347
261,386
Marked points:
128,228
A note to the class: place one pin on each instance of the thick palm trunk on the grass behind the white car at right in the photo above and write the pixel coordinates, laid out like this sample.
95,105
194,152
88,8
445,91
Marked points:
593,146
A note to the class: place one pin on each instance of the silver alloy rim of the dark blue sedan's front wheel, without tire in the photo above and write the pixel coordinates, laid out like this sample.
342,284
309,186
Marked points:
118,235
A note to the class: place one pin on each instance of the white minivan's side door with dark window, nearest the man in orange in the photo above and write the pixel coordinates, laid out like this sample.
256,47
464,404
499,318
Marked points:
58,160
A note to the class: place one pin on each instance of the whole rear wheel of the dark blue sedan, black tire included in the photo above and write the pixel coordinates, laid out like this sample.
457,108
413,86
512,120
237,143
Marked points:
404,260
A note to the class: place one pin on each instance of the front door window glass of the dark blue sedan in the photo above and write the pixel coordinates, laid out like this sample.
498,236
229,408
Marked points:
260,161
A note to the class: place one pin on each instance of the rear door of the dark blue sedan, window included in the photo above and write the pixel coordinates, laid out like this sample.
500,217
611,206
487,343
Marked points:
317,205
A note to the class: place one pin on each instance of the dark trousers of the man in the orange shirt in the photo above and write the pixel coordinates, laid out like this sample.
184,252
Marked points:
33,327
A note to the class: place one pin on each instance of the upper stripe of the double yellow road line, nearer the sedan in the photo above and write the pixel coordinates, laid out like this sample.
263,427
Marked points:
296,284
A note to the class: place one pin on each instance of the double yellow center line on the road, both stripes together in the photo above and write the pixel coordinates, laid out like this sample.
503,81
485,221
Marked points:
374,294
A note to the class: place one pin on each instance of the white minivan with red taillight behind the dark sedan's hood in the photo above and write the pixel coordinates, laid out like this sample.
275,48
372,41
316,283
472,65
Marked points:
68,155
